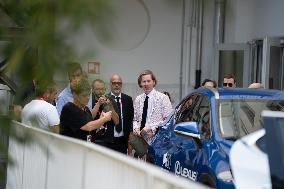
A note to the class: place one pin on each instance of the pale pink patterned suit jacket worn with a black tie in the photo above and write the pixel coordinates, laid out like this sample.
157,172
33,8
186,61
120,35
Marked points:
160,109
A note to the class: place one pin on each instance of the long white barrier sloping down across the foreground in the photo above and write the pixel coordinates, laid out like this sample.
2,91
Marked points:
51,161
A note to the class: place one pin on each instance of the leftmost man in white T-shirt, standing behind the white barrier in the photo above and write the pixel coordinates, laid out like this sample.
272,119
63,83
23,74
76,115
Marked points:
40,112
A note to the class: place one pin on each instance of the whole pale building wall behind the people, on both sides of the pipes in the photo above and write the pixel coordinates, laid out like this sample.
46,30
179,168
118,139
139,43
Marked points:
151,39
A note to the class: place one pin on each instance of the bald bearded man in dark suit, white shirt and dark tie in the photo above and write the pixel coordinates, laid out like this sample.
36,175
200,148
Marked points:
125,111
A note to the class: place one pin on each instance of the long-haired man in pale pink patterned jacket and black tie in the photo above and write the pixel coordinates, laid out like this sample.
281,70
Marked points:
150,108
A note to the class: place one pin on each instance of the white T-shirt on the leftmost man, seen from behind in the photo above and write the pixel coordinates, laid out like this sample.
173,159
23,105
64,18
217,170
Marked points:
39,113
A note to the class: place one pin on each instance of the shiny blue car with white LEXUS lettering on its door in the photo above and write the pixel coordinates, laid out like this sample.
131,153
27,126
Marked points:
195,140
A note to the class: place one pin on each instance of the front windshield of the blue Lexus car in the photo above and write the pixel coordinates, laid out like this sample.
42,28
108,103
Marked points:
240,117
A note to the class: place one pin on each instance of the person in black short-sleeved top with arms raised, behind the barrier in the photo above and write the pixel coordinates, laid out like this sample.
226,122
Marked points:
76,119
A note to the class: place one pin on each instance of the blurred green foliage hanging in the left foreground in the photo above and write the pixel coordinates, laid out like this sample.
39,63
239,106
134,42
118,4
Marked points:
39,40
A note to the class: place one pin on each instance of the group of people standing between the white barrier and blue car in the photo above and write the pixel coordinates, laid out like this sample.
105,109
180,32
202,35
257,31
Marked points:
85,111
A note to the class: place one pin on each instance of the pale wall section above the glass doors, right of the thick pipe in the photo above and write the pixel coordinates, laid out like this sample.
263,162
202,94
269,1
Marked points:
252,19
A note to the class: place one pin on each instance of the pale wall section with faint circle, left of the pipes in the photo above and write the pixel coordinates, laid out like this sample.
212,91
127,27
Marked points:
155,45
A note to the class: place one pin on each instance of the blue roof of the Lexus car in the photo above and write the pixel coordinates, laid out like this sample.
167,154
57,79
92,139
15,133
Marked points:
241,93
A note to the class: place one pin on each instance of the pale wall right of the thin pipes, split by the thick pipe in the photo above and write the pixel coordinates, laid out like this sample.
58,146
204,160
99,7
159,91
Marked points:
245,20
